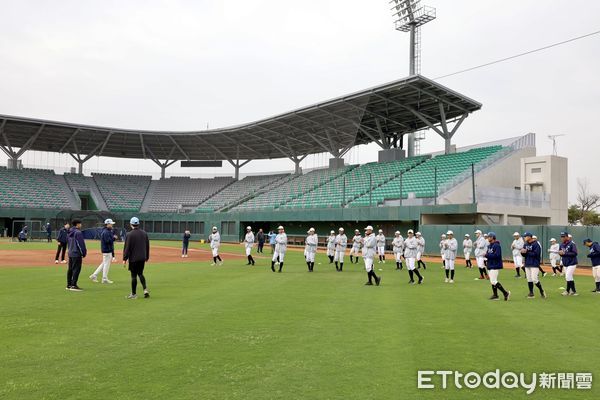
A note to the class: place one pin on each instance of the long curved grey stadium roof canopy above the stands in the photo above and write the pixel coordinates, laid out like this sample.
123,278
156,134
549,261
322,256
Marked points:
380,114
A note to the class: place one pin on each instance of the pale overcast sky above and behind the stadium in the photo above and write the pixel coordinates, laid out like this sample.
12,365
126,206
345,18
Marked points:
182,65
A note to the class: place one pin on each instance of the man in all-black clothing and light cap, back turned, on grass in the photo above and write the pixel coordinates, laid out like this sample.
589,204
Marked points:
137,252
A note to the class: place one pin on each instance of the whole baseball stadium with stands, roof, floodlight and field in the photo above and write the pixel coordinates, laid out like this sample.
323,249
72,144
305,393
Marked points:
267,298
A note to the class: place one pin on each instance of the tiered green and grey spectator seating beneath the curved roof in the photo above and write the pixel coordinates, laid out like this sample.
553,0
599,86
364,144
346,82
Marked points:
350,186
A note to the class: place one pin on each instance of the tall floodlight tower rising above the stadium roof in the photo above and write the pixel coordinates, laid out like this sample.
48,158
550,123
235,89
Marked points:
409,16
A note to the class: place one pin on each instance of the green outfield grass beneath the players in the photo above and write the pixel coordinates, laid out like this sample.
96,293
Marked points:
237,332
